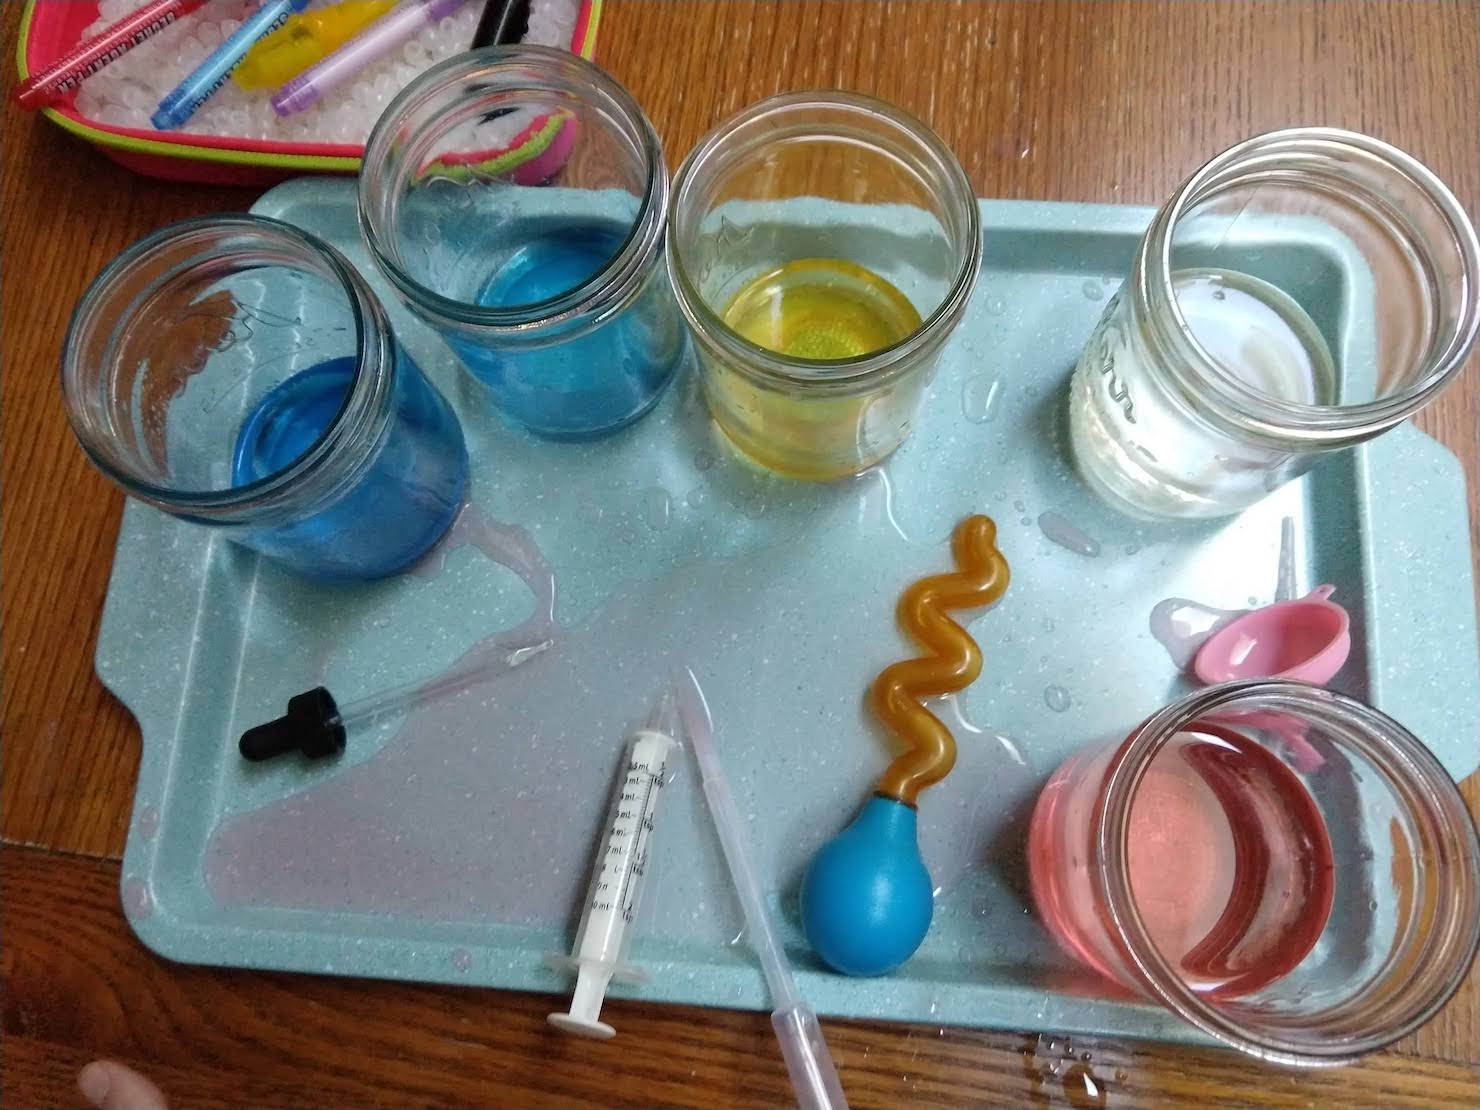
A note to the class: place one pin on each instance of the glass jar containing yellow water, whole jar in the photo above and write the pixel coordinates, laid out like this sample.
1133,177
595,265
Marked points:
824,248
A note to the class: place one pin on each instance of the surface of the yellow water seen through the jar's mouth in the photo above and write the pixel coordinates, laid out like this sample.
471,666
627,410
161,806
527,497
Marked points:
822,309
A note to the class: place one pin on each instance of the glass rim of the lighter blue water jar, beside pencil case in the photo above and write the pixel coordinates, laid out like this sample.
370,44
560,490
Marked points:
539,69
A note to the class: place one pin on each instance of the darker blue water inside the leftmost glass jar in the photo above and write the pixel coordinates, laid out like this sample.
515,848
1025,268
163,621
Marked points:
394,510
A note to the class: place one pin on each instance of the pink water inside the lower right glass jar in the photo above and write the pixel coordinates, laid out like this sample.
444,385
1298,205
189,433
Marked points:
1229,861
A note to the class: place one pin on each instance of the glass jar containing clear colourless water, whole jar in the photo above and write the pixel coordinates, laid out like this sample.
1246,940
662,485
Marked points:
1300,294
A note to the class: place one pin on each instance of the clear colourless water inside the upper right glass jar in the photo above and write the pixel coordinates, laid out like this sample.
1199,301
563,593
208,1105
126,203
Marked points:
1142,449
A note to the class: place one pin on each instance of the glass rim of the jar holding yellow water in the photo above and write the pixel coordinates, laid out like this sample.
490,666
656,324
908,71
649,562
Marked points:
843,374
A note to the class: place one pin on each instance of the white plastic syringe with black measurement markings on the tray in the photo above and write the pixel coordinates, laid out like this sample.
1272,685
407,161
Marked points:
618,875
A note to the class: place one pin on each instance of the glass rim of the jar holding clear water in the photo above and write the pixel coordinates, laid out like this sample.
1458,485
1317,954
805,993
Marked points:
1293,421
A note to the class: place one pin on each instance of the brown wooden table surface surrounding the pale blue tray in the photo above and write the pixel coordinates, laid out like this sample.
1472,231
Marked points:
1077,101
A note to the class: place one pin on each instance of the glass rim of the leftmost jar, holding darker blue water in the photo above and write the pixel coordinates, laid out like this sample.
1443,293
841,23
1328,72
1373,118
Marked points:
310,473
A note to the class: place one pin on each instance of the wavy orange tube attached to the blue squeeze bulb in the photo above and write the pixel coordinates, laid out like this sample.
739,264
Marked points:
954,664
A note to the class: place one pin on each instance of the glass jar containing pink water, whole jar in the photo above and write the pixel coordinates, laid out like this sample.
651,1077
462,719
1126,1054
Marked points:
1285,868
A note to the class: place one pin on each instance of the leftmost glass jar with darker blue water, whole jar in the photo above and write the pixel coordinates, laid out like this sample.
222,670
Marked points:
239,374
